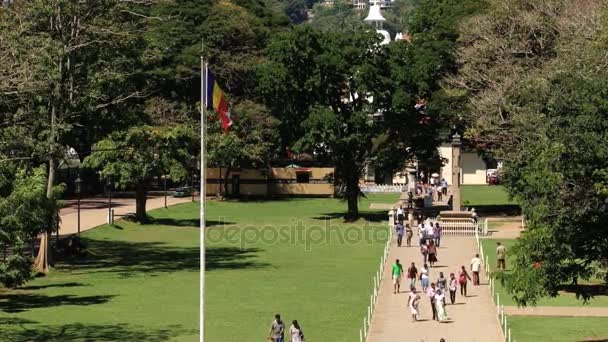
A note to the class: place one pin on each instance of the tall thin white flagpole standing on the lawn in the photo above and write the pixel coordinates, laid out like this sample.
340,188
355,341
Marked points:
202,199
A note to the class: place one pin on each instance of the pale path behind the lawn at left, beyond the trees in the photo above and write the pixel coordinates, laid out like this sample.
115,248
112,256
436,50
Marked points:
94,211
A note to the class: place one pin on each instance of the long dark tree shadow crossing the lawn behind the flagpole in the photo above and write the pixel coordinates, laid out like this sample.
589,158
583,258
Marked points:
128,259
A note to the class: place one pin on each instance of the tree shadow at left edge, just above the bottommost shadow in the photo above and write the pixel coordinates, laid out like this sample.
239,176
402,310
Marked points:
18,301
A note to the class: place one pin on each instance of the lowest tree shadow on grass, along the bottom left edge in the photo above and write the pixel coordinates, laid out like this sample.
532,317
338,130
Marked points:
29,331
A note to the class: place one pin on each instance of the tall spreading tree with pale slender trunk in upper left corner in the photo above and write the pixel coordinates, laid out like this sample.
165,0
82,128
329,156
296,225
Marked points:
71,71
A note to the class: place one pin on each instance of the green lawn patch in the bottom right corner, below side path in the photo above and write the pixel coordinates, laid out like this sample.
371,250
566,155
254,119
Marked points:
558,329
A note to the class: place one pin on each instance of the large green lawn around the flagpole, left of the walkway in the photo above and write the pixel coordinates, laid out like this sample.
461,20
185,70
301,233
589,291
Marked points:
140,282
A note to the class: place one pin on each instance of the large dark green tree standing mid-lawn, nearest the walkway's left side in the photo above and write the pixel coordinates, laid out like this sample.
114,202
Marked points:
315,84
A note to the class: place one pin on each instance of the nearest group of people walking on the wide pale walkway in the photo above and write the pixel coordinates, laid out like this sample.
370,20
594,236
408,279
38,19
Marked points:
436,291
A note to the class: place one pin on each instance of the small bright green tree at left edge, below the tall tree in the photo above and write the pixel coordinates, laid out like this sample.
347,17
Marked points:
25,212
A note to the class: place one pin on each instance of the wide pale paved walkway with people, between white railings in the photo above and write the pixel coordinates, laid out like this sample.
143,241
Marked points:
473,319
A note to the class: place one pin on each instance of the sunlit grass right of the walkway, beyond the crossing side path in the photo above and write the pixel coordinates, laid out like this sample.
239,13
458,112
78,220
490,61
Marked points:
564,299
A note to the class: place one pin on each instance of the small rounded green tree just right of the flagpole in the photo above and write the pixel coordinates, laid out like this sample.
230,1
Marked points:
249,142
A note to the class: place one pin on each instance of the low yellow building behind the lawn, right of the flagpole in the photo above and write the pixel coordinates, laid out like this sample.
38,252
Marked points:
275,181
